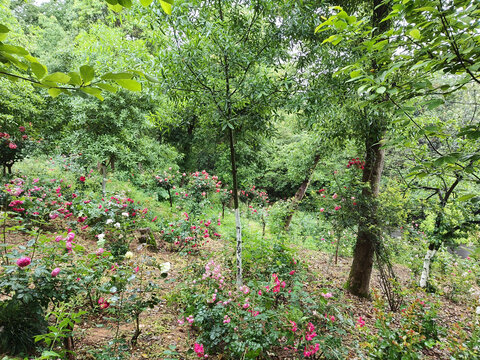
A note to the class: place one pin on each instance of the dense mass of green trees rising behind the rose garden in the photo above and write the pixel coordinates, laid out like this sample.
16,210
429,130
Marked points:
248,90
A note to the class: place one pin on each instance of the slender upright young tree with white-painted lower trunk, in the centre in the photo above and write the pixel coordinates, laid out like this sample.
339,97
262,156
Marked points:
220,56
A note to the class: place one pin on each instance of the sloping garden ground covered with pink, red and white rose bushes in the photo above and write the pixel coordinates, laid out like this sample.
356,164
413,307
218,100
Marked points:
73,272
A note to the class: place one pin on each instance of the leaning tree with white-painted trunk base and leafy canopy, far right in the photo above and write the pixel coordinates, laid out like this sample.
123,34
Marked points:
436,41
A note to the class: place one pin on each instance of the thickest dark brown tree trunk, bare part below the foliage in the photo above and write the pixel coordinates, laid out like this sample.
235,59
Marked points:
368,233
